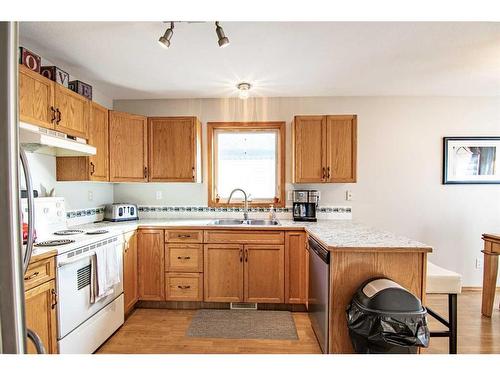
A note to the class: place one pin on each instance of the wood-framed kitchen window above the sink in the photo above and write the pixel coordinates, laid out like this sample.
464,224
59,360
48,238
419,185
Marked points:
249,156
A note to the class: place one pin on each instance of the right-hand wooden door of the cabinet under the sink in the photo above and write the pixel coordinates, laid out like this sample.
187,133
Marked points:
264,278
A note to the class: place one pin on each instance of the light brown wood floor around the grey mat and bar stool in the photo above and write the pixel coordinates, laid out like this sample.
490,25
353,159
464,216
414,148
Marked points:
163,331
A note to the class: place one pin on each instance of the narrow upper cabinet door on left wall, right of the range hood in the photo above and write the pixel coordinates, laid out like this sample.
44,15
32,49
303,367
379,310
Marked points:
98,137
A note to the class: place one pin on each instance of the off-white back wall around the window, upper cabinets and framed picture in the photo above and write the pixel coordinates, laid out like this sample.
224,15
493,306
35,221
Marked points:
399,165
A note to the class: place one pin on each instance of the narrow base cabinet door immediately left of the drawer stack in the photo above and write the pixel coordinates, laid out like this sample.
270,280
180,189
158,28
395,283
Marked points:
151,265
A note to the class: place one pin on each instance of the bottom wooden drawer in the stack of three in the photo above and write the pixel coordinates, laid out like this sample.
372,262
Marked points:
184,286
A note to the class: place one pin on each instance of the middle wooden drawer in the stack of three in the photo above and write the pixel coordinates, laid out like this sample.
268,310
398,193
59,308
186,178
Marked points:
183,258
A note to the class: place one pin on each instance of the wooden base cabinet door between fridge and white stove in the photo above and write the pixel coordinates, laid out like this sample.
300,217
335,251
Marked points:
41,315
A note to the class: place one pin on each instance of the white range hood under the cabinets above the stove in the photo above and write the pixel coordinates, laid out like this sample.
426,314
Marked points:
50,142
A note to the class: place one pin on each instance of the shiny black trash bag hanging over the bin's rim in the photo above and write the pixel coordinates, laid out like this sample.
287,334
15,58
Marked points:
386,332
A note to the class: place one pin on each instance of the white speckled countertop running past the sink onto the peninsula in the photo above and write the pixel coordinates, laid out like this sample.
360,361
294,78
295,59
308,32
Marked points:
335,234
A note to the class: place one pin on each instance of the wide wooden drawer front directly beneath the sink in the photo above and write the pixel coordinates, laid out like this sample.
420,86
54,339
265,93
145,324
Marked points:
253,237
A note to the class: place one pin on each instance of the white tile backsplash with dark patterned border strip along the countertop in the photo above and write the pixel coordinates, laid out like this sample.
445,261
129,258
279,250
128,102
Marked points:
89,215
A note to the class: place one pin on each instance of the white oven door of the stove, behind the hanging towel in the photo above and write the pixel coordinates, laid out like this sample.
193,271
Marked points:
73,285
